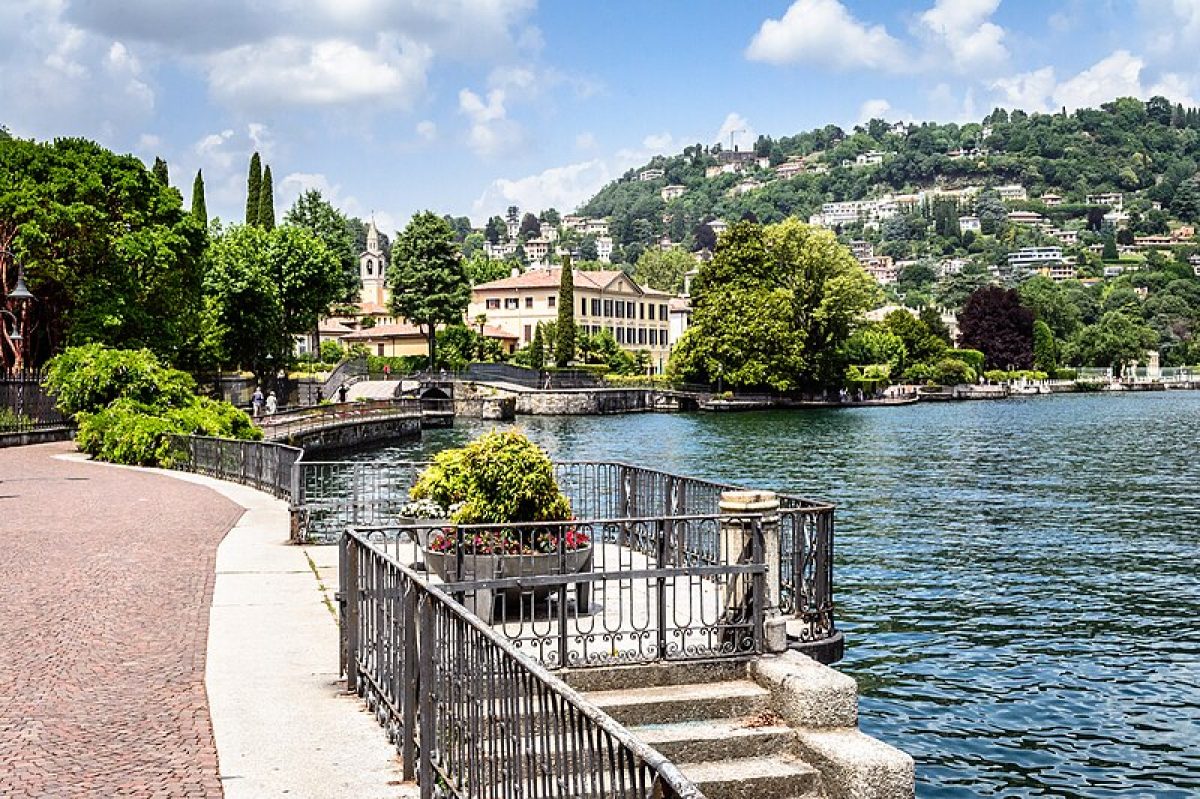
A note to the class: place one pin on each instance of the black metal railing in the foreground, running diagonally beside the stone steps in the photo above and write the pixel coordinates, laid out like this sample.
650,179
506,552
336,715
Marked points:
470,714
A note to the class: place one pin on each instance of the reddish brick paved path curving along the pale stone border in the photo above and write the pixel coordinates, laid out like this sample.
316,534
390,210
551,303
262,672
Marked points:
106,579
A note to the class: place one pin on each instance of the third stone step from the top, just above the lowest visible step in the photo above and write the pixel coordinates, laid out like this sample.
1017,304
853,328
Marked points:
716,740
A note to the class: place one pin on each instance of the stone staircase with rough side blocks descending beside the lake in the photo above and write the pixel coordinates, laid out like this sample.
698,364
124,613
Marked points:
748,731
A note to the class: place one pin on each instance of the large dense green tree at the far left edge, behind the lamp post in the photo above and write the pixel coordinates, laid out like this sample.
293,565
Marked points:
109,250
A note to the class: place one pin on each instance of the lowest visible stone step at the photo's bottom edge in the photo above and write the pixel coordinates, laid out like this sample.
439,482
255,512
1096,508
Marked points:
755,778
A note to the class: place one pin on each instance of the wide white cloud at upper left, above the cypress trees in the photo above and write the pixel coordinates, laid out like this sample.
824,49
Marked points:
289,71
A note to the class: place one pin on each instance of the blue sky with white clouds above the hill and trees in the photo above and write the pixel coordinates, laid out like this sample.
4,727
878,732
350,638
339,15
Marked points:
469,106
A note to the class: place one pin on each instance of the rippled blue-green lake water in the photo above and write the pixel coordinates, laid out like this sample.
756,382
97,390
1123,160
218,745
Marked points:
1017,580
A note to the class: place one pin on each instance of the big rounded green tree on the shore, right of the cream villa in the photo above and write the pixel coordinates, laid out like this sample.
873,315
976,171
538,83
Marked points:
773,309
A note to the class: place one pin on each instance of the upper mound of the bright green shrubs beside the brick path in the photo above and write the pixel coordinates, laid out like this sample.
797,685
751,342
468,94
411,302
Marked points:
89,379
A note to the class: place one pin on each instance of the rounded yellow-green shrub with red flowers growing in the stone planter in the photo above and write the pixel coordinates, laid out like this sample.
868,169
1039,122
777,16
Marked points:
501,478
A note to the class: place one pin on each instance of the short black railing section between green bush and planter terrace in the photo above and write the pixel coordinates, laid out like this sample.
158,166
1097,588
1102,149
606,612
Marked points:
261,465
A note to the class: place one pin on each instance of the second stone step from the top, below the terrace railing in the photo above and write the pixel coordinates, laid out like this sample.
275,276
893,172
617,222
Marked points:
691,702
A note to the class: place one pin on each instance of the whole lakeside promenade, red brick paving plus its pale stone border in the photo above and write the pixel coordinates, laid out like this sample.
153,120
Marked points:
161,639
